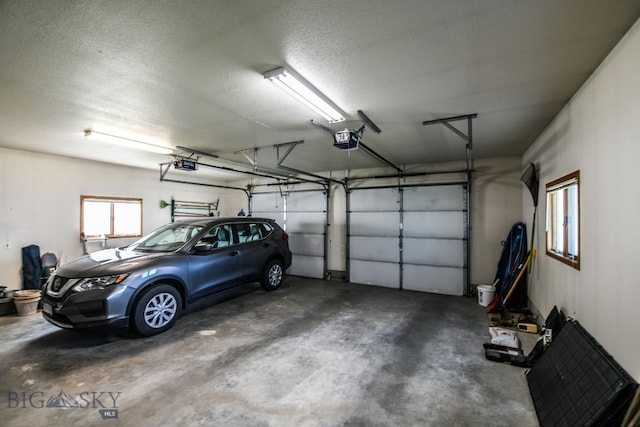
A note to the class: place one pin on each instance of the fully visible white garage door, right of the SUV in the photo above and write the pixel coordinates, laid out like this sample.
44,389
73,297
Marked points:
411,238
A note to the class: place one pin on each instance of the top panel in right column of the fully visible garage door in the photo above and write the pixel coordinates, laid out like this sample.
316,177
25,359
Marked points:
435,198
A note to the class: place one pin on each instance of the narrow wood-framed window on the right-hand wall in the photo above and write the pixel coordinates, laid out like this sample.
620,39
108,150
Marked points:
563,219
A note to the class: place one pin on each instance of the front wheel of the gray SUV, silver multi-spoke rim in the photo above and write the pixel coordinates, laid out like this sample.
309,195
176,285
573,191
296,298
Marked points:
157,310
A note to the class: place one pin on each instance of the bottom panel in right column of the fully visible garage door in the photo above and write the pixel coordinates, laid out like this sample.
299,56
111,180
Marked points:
441,280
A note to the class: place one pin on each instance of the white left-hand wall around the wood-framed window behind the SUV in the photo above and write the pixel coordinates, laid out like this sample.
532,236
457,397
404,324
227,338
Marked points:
40,203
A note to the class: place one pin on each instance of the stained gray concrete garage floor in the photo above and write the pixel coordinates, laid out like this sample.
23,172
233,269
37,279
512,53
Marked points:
313,353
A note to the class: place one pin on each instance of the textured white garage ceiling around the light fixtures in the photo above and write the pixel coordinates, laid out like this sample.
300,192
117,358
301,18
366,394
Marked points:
191,73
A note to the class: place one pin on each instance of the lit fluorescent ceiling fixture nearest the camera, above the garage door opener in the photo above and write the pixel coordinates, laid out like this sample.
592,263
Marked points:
304,92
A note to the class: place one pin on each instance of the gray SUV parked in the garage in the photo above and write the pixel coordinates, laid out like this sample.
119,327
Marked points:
146,285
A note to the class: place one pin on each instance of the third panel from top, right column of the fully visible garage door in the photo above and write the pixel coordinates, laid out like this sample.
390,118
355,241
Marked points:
442,252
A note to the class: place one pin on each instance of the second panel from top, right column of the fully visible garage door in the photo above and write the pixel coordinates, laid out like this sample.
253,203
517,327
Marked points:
434,224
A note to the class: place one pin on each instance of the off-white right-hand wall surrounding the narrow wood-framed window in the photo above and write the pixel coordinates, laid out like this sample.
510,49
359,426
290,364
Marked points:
598,132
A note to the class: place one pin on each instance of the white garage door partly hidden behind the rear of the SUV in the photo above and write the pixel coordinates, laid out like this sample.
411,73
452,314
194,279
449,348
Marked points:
302,214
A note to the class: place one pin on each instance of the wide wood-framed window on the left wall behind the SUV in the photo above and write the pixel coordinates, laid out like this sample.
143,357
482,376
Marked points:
110,217
